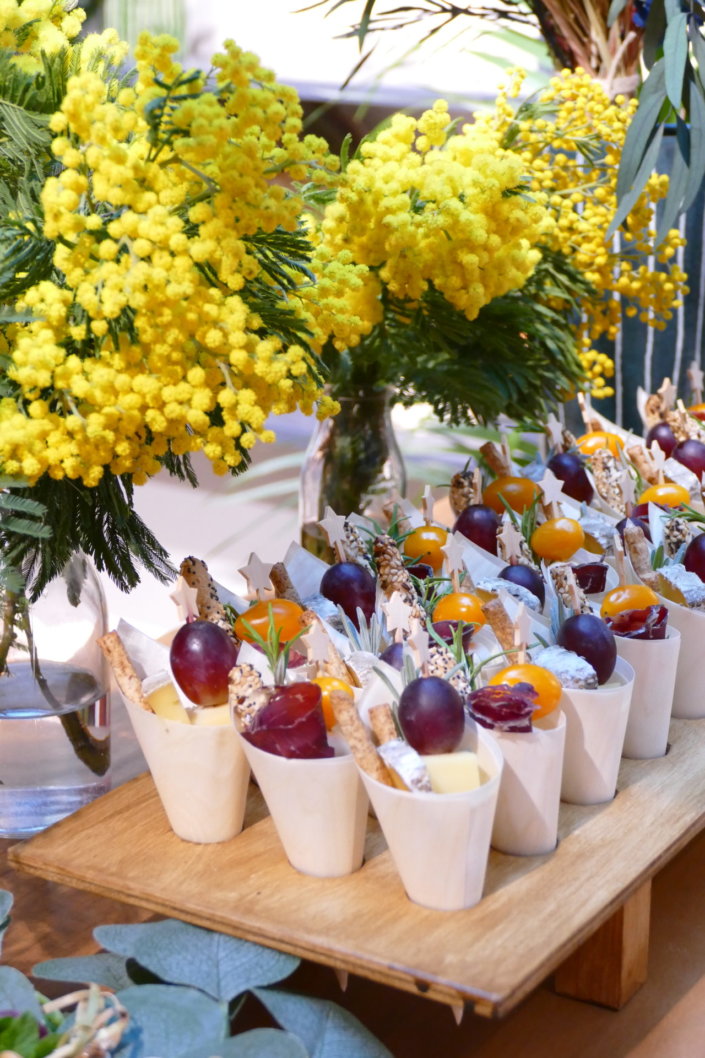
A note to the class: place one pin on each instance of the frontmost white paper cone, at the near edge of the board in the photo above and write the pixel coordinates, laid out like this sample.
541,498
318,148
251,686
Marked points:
440,843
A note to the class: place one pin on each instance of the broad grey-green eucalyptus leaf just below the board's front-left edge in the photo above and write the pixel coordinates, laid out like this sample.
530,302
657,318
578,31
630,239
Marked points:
223,966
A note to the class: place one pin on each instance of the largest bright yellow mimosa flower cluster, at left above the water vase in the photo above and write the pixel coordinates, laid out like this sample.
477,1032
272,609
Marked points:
152,338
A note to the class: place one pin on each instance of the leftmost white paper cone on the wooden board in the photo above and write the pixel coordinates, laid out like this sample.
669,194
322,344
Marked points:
201,774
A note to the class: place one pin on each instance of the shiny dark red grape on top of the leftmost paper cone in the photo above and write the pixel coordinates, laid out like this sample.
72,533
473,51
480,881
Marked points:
202,656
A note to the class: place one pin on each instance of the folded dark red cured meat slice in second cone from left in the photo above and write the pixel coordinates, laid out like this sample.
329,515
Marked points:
292,724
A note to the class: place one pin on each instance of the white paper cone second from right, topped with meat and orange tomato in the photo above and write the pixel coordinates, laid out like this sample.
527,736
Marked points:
655,664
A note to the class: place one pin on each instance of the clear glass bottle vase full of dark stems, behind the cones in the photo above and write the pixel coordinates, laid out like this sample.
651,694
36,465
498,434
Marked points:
353,464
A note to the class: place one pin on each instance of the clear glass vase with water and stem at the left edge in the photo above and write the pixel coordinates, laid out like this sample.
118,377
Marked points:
55,705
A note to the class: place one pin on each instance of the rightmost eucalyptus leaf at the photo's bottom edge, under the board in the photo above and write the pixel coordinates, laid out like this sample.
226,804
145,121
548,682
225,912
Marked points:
327,1030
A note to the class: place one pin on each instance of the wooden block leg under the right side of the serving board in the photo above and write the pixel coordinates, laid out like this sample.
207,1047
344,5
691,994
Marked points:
611,966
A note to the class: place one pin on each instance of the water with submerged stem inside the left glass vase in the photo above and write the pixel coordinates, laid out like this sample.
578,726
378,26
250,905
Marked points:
55,744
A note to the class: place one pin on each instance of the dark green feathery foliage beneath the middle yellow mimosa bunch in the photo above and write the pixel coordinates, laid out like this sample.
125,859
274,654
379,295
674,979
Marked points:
519,357
